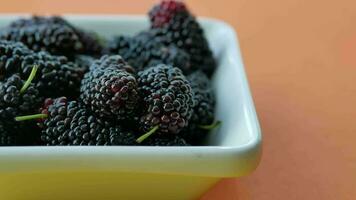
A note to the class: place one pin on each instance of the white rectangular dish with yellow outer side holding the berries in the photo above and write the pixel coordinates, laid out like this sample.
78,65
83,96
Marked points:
123,172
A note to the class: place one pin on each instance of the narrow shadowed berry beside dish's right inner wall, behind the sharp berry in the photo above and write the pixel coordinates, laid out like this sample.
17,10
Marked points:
203,110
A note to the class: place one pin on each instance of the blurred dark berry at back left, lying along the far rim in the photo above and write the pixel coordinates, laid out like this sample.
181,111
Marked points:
52,34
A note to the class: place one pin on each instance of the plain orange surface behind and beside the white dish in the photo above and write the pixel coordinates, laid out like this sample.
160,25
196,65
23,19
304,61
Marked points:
300,57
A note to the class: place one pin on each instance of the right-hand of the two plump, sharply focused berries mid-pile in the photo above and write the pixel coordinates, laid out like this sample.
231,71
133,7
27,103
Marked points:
167,99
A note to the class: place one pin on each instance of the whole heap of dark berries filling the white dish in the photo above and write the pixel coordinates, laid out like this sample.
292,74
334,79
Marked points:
62,85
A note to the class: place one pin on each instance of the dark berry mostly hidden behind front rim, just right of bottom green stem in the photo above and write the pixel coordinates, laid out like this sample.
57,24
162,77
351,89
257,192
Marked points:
165,141
